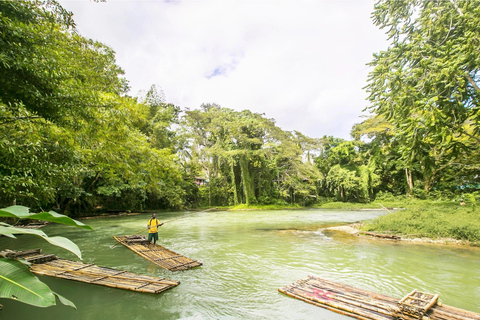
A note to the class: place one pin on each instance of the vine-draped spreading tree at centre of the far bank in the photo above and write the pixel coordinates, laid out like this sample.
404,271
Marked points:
259,162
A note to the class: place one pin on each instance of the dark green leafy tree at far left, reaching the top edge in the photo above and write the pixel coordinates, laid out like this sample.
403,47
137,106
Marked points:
54,85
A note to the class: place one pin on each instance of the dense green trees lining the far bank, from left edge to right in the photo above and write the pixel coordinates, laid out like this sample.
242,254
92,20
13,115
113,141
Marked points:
72,139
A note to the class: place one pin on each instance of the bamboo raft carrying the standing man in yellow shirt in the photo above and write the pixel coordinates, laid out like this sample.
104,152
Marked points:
157,254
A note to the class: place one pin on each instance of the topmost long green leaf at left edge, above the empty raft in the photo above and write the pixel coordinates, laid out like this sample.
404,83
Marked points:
22,212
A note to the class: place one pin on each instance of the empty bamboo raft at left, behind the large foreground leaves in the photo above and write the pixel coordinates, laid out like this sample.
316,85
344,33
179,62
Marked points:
51,265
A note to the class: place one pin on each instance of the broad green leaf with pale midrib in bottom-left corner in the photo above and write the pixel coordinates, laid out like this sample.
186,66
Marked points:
18,283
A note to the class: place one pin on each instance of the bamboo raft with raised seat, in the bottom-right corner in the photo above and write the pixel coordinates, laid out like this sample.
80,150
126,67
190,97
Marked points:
366,305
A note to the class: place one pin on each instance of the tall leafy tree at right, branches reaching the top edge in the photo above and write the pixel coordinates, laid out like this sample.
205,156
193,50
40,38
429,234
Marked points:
426,83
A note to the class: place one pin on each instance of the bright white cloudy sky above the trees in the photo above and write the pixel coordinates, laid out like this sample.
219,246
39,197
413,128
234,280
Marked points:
300,62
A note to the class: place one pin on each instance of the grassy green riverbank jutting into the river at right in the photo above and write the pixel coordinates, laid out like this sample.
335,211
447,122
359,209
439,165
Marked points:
433,221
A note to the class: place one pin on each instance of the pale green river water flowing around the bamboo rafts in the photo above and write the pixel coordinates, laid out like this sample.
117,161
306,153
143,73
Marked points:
247,256
